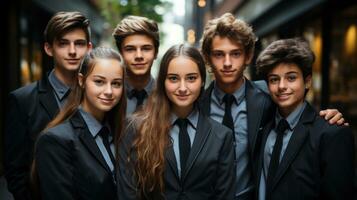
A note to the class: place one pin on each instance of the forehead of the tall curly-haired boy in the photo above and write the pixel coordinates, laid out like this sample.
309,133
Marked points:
224,44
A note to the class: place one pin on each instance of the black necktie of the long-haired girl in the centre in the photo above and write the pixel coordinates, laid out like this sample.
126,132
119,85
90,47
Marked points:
184,142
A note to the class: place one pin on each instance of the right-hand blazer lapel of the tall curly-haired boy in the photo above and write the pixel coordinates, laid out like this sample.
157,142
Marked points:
255,108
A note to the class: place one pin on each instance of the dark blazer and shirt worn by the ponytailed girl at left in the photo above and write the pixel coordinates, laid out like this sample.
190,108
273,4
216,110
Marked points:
72,161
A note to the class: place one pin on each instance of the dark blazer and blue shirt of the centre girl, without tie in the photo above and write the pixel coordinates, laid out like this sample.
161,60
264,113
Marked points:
209,169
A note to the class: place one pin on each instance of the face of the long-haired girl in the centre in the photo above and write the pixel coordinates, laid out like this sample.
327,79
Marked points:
183,84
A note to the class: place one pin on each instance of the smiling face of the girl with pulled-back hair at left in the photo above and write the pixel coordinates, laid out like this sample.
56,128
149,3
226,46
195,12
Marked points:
103,87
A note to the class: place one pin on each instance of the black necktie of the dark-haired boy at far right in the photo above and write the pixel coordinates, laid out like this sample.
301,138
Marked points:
275,158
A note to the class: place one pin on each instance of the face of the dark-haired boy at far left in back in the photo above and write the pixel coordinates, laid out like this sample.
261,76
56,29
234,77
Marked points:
69,50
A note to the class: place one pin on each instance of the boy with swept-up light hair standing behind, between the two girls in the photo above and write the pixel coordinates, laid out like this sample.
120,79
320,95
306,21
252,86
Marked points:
137,39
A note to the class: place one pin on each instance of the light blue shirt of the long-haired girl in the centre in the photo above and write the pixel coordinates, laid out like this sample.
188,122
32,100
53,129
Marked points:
174,133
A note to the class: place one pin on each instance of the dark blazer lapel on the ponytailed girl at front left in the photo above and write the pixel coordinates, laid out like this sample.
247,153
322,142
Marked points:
88,140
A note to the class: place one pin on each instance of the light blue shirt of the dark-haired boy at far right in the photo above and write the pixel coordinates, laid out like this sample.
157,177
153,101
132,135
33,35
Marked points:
293,120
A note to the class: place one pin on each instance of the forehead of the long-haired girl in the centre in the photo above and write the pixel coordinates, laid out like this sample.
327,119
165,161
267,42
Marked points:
182,65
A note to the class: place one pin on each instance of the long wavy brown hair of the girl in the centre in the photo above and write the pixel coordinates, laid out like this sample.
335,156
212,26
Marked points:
153,126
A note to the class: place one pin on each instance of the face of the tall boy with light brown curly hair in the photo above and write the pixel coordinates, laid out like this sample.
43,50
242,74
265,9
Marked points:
228,61
